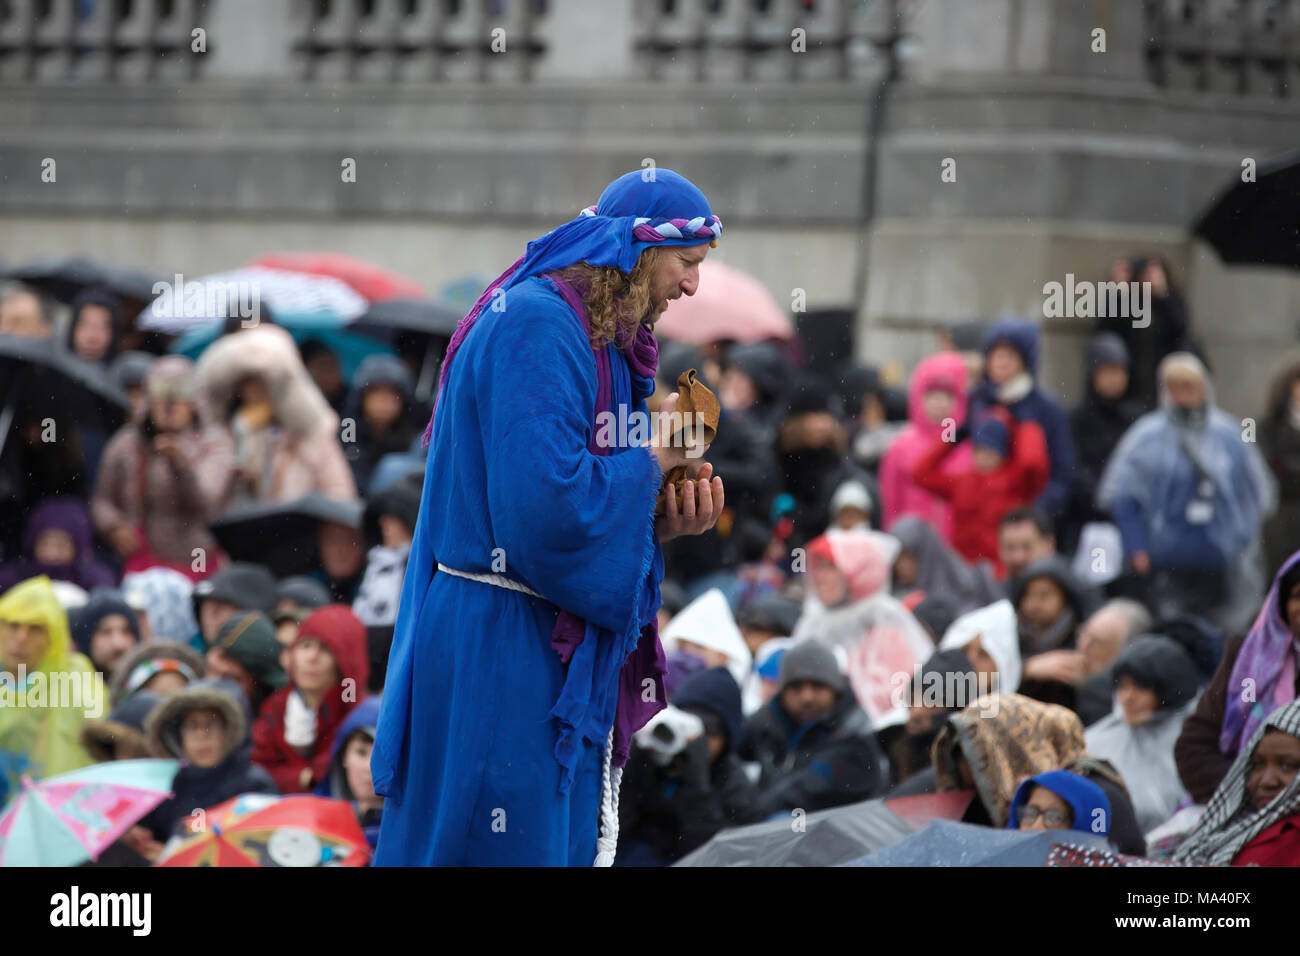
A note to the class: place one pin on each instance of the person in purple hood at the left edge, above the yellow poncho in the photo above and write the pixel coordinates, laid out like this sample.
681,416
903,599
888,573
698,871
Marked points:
57,543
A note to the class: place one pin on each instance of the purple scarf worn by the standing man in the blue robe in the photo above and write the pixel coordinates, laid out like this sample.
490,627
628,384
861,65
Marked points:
648,661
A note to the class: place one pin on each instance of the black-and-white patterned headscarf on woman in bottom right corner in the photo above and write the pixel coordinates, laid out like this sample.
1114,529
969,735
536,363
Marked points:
1230,821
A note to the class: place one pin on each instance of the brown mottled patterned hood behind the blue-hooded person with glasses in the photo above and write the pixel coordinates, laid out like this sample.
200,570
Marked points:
1006,739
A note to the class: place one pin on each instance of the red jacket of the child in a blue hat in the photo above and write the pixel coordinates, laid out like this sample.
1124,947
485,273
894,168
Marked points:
980,501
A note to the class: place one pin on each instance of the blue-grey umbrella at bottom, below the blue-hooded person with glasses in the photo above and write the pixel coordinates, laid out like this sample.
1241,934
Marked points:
948,843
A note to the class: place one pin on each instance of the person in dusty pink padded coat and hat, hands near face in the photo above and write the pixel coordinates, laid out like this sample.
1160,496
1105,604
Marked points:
164,478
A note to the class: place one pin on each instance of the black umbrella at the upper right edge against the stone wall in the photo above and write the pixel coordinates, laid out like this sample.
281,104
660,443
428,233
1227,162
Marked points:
1258,223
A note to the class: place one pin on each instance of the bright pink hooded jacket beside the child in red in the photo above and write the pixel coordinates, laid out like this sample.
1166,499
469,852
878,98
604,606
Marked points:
899,494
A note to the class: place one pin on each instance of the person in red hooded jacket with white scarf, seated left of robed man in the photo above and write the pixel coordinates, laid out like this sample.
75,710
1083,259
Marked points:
296,728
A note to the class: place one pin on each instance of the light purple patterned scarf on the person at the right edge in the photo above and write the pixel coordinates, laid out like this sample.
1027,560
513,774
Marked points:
1268,660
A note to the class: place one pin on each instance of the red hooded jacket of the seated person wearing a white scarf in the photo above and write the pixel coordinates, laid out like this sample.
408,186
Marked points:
344,637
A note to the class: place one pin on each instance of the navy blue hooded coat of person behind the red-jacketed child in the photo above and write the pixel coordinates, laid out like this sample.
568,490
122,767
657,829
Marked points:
1037,406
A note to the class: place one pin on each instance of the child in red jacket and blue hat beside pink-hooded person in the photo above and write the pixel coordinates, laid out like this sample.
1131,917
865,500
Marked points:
1009,469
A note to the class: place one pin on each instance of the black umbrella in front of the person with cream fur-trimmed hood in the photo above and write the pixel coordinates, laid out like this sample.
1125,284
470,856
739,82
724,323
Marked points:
283,535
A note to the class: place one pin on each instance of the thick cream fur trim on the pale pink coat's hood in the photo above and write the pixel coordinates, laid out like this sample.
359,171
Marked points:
270,353
